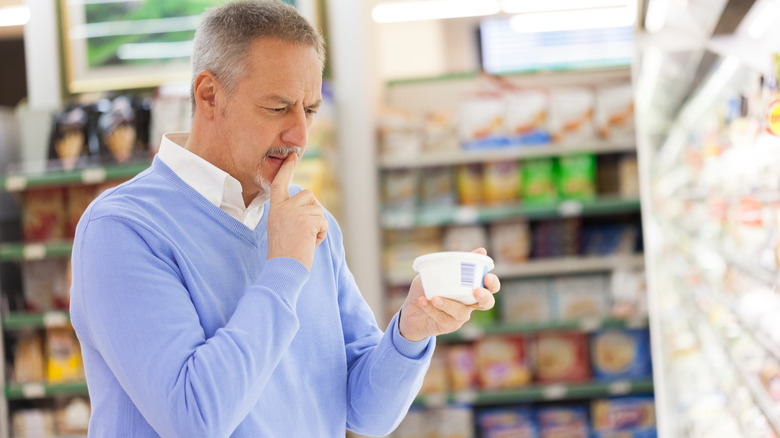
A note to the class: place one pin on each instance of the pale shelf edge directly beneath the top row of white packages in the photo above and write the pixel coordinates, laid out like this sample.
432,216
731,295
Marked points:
448,158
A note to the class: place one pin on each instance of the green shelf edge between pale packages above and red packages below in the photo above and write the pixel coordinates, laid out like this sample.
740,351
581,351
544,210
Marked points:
471,332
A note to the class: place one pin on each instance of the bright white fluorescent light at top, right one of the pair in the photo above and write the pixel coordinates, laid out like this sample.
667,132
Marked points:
573,19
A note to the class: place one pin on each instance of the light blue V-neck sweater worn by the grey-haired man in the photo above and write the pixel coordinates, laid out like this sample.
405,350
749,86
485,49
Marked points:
187,330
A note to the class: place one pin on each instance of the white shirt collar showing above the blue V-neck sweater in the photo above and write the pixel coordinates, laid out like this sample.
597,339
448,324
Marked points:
213,183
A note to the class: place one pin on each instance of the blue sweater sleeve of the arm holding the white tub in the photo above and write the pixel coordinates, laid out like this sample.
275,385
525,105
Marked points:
385,370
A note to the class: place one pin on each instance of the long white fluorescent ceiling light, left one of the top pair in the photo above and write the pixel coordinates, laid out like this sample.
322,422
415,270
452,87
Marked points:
433,10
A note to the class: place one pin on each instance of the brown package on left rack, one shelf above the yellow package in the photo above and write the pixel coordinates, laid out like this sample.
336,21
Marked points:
46,285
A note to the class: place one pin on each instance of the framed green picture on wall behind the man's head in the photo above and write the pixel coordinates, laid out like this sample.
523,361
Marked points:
122,44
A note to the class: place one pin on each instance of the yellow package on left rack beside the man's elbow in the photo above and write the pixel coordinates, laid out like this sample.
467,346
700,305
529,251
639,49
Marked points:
63,356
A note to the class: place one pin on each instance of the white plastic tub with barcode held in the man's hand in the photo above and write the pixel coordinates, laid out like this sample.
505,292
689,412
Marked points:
452,274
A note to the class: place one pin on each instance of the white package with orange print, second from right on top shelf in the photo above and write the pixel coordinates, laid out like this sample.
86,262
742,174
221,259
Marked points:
571,114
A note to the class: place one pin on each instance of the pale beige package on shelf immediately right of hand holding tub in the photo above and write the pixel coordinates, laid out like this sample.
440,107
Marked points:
526,301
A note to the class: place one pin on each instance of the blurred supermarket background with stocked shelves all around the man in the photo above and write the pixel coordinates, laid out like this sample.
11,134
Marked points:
619,160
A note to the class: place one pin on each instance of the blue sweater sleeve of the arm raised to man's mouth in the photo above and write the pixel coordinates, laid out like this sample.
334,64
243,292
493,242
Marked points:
129,302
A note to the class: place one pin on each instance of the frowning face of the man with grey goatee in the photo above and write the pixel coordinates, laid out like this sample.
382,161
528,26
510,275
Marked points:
269,112
